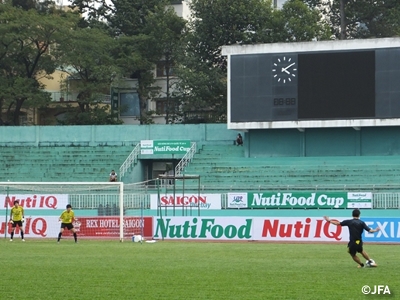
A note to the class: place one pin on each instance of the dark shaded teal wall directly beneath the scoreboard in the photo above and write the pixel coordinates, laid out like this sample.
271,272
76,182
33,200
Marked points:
365,141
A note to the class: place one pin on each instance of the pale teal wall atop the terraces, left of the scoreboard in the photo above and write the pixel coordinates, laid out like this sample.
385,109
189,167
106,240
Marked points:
113,135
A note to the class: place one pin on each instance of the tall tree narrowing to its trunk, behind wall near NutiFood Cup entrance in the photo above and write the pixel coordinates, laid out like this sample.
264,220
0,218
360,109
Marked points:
134,23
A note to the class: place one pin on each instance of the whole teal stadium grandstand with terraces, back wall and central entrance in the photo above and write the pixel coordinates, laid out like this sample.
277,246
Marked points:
268,163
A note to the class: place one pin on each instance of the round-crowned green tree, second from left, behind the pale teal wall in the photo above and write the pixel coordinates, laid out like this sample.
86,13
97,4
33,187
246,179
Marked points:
87,59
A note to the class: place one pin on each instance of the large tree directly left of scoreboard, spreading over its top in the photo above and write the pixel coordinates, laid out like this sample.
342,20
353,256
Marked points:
213,24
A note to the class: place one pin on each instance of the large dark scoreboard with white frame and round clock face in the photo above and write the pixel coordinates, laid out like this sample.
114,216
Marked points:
314,84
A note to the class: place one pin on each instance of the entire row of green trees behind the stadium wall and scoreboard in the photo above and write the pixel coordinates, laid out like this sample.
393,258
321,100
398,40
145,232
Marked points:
127,38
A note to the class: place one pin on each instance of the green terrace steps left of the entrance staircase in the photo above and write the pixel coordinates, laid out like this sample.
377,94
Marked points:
58,163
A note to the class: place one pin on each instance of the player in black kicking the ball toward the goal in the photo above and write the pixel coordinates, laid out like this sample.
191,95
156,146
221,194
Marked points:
356,228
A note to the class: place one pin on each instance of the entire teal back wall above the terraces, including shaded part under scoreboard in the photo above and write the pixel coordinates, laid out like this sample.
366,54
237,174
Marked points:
365,141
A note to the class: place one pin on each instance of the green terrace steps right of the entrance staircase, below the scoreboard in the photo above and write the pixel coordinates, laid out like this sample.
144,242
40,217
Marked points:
225,165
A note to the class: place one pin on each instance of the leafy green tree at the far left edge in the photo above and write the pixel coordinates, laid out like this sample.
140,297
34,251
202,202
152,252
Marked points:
26,55
